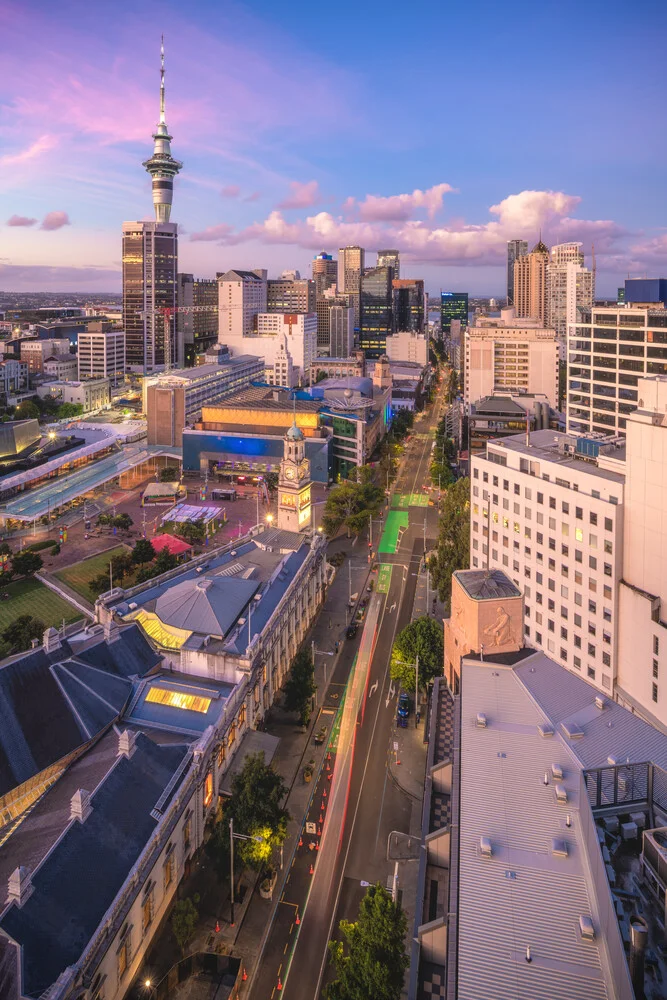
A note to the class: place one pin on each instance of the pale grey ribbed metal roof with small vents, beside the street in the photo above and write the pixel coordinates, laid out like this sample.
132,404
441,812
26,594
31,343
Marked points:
523,895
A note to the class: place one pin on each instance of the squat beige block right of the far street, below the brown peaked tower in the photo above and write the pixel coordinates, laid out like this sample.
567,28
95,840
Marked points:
510,355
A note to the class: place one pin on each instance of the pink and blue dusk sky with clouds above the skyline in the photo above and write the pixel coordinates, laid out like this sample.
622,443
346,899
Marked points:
269,179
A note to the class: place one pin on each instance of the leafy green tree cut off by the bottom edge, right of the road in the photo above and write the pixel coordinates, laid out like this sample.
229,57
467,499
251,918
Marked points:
370,961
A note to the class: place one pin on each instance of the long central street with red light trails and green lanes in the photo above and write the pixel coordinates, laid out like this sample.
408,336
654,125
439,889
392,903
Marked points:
355,804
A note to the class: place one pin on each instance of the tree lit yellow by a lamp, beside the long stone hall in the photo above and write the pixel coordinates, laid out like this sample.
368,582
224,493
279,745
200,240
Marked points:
255,806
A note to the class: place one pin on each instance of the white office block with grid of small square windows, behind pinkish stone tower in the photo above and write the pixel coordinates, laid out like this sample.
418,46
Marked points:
550,513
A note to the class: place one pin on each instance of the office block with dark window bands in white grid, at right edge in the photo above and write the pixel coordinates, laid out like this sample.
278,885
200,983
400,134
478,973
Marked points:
609,350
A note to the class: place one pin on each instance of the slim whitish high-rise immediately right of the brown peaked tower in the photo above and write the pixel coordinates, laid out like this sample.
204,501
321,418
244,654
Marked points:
569,287
